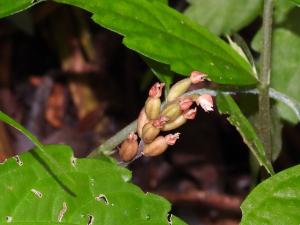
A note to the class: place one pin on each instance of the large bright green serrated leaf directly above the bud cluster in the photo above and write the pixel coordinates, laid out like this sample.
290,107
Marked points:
163,34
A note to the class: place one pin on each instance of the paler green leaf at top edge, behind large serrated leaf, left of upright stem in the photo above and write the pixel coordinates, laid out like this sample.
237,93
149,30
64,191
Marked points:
224,16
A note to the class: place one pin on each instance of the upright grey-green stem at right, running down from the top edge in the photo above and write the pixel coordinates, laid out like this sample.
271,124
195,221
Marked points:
265,74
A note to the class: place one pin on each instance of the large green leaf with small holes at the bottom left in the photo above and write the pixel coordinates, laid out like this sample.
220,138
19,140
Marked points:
30,195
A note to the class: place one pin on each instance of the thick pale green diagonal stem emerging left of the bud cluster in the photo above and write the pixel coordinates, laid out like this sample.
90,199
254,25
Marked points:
107,147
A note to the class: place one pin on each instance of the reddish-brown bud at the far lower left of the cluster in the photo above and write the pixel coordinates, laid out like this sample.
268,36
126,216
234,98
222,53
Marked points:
129,148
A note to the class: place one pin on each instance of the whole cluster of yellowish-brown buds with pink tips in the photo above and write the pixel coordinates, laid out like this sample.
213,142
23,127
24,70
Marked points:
156,117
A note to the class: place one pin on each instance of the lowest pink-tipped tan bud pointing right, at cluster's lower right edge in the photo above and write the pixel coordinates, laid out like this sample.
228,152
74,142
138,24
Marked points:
160,145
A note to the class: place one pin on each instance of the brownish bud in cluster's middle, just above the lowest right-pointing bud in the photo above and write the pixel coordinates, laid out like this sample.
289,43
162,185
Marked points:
151,129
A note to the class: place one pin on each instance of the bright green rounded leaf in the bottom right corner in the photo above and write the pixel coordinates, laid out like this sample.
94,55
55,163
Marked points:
275,201
